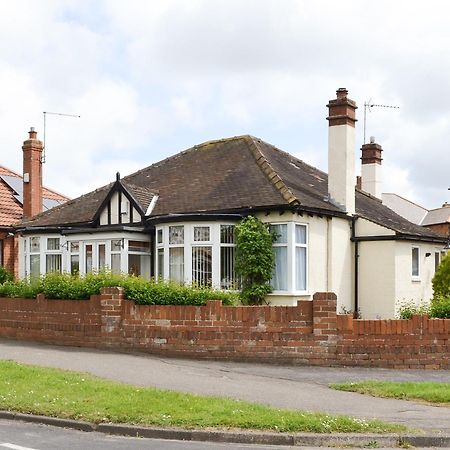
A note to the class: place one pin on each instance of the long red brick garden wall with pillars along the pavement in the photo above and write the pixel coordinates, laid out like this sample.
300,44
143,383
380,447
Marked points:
310,333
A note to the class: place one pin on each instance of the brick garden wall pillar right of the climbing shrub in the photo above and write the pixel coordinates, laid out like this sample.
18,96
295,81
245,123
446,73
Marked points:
325,316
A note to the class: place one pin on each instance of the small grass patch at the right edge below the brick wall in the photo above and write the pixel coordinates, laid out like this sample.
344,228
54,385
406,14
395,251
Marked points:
425,391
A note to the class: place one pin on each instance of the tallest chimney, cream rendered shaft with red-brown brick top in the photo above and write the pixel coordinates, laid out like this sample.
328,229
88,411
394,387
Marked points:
341,151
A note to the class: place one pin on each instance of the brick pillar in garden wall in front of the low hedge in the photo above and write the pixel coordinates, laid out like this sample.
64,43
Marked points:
111,307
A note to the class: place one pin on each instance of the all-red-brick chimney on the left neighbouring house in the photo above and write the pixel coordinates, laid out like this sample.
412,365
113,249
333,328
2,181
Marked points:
32,175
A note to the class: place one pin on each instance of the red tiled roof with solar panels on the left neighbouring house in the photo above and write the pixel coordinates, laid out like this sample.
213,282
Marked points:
11,197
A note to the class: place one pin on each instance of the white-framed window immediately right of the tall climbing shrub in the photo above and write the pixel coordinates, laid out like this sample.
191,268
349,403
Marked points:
291,256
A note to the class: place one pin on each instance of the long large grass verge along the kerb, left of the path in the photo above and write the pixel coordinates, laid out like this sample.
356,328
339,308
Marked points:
58,393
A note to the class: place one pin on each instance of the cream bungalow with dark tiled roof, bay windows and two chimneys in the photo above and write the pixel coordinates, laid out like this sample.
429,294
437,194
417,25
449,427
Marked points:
175,220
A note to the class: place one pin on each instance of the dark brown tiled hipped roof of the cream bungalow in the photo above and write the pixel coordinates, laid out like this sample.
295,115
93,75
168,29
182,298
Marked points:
229,175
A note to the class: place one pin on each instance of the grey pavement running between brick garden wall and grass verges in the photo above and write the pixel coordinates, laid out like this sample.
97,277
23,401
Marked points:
294,387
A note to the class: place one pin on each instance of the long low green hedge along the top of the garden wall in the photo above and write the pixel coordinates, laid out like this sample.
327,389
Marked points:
74,287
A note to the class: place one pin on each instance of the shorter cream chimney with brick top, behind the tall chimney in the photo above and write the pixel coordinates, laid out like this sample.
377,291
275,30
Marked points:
371,168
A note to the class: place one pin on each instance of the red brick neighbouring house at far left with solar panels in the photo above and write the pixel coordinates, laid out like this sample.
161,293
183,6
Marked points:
22,196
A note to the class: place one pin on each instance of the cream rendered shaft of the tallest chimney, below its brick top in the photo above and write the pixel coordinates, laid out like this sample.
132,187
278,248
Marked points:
341,166
